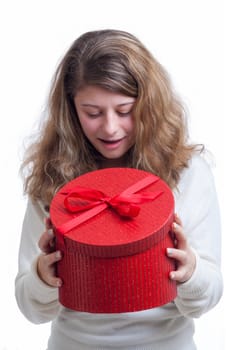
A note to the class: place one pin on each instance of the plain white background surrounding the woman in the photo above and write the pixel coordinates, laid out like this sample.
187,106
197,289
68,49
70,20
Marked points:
191,38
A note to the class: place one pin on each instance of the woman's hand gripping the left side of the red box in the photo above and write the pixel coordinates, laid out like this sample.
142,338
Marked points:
46,261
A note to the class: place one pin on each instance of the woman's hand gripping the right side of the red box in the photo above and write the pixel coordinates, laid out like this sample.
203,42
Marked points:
182,253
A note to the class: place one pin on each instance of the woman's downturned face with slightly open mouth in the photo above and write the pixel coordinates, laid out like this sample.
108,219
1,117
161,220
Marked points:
107,121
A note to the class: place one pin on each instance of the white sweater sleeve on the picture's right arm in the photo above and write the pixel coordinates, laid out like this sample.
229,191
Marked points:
197,206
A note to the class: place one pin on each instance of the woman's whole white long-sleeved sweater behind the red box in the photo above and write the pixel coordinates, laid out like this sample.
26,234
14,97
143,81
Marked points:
169,327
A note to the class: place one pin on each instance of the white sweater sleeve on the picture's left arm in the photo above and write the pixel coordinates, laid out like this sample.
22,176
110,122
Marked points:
36,300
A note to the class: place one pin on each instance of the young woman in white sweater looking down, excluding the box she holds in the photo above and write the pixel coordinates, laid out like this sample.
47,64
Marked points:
112,105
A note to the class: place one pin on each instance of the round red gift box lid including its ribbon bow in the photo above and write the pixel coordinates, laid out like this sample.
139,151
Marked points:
113,212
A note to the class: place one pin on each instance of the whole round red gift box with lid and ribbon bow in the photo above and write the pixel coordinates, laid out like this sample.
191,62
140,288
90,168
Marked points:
113,227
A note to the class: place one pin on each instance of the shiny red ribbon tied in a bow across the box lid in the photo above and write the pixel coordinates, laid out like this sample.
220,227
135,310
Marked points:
91,202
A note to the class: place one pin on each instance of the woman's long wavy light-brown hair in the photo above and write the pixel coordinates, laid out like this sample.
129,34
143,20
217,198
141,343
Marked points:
116,61
